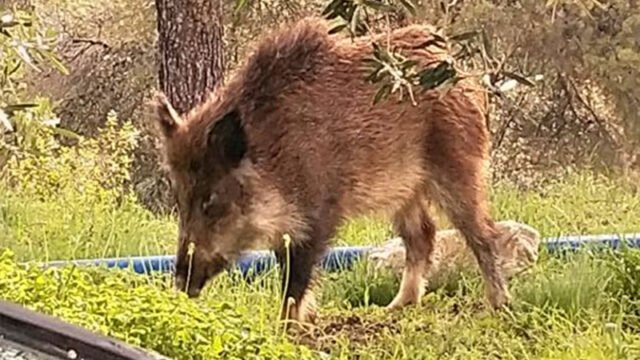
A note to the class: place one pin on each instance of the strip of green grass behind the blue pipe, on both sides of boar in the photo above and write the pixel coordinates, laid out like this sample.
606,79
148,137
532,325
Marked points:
582,204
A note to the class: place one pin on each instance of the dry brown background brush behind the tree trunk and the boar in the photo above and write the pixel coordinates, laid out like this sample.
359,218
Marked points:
582,113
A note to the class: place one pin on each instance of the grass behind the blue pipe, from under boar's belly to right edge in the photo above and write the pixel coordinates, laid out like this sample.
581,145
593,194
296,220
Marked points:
582,203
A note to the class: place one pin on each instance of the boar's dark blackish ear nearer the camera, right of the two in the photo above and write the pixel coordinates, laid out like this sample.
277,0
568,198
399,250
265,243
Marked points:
228,140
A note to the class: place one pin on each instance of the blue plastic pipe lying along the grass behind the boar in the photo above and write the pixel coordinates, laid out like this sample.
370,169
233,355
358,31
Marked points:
338,258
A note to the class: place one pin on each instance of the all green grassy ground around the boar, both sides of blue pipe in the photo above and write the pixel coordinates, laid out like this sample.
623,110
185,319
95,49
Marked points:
584,307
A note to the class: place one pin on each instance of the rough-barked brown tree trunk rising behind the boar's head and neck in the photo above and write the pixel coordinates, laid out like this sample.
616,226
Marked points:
190,50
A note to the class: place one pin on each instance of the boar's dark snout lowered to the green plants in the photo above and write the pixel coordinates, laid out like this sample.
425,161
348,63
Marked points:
192,274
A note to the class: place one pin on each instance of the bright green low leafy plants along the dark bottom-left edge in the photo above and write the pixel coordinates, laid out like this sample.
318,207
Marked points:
144,313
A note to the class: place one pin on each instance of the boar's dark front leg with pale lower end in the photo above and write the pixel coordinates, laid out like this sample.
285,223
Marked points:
297,276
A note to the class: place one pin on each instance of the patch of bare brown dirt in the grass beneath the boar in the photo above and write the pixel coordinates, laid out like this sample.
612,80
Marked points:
352,329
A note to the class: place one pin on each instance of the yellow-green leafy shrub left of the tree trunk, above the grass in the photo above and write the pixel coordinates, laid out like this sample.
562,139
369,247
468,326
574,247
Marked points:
95,170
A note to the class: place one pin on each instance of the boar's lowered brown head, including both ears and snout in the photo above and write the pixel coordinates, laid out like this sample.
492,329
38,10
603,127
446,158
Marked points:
203,159
